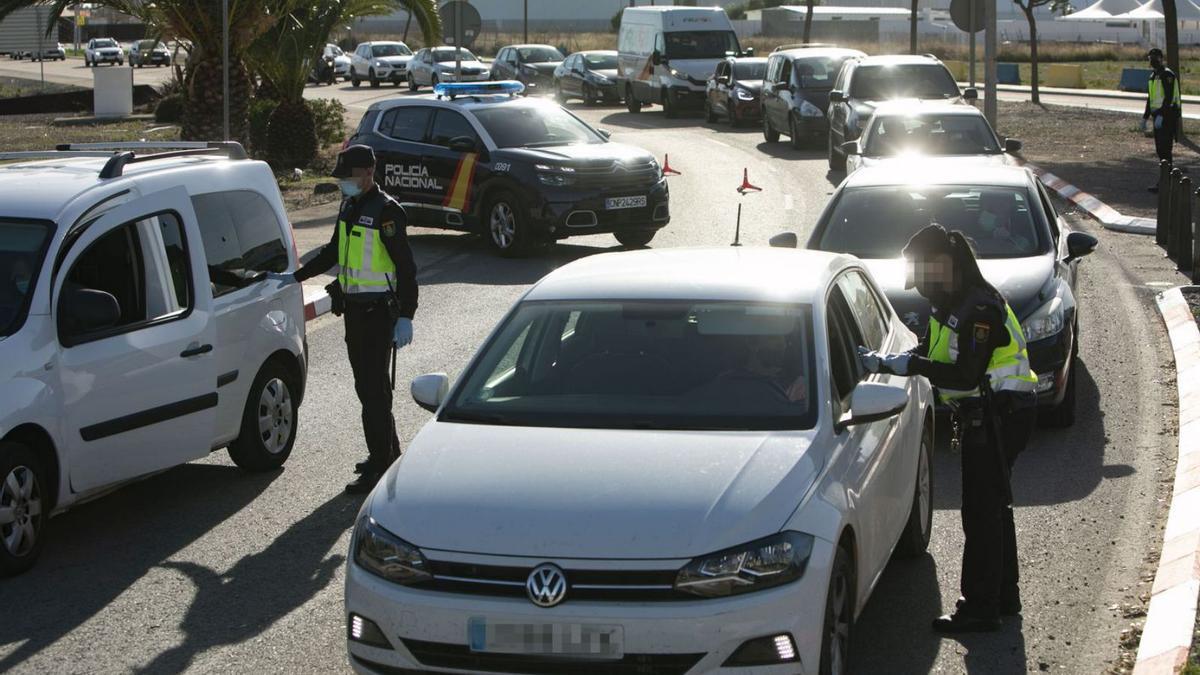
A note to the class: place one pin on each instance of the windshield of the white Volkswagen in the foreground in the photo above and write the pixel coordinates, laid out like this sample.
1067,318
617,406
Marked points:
645,365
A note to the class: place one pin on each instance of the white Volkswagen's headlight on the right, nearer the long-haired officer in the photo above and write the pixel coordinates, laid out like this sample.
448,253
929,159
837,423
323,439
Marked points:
765,564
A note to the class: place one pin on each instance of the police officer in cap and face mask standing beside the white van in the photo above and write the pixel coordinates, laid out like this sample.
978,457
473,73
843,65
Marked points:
377,284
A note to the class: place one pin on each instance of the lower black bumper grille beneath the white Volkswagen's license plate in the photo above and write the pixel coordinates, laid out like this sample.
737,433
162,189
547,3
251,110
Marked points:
441,655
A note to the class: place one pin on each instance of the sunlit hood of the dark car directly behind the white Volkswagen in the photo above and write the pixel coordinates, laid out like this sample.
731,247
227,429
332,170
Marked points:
1021,280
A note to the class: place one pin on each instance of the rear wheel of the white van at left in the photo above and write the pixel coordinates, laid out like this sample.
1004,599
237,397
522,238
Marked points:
269,421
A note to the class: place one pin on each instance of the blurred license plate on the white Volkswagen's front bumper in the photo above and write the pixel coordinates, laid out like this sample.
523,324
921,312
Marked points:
580,641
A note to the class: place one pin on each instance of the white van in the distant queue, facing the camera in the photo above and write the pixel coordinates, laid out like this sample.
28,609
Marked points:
667,55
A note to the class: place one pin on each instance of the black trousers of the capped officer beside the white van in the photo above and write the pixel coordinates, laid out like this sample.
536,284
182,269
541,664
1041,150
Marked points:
369,331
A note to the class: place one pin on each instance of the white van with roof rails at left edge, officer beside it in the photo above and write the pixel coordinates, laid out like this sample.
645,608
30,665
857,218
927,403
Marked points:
139,326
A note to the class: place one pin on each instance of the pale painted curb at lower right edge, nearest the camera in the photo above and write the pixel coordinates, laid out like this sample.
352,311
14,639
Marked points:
1167,637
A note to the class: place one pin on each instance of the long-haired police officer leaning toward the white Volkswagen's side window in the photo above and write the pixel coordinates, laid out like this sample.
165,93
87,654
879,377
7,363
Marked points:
975,355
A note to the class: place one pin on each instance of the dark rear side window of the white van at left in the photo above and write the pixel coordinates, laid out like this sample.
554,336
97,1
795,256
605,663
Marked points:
243,237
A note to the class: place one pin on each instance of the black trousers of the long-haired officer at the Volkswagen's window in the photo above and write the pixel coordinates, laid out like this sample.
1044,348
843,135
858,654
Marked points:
991,574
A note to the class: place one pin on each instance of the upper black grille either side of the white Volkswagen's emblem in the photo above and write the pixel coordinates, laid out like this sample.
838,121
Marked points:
609,586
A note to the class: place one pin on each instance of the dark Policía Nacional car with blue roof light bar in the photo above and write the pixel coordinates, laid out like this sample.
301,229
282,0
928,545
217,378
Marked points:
523,172
